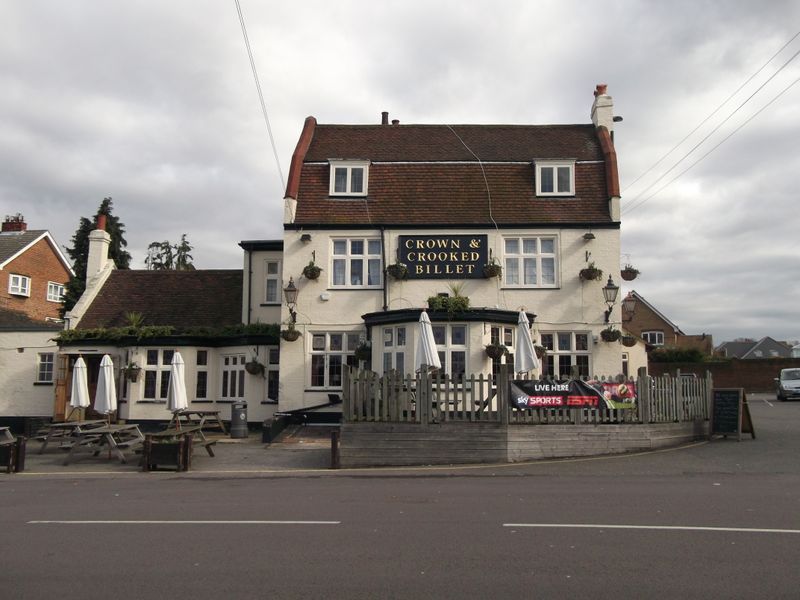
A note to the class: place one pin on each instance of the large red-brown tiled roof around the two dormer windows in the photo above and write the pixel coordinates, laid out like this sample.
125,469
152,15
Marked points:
429,174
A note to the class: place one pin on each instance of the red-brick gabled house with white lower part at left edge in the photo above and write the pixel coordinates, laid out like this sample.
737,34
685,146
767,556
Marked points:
33,273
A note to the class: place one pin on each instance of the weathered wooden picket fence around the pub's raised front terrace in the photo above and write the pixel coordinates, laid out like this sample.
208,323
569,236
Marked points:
425,398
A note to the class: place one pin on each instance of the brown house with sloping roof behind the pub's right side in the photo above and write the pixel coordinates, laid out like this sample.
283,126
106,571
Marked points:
652,326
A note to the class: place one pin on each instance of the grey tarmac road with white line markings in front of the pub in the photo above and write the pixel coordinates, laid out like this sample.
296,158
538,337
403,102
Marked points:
713,520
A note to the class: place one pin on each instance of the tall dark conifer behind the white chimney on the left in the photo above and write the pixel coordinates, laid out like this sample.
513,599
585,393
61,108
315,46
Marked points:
79,253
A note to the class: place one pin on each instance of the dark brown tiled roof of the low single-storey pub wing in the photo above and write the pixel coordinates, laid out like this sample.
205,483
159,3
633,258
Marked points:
182,299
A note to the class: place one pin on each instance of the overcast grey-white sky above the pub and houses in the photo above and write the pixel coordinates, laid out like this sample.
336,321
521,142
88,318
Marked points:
154,104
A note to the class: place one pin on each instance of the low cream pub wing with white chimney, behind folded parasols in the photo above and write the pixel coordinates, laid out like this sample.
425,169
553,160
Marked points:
216,319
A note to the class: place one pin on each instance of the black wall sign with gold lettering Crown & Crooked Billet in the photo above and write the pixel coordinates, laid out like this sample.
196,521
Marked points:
443,256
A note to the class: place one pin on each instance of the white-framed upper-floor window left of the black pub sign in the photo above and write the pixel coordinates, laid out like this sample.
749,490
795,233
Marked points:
356,263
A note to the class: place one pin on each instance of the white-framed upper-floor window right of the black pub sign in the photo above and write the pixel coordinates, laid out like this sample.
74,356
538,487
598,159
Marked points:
530,261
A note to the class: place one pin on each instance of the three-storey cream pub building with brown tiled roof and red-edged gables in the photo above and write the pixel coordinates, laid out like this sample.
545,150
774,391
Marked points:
384,221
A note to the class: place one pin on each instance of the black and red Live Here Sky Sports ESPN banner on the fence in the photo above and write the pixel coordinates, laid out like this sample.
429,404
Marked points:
572,393
